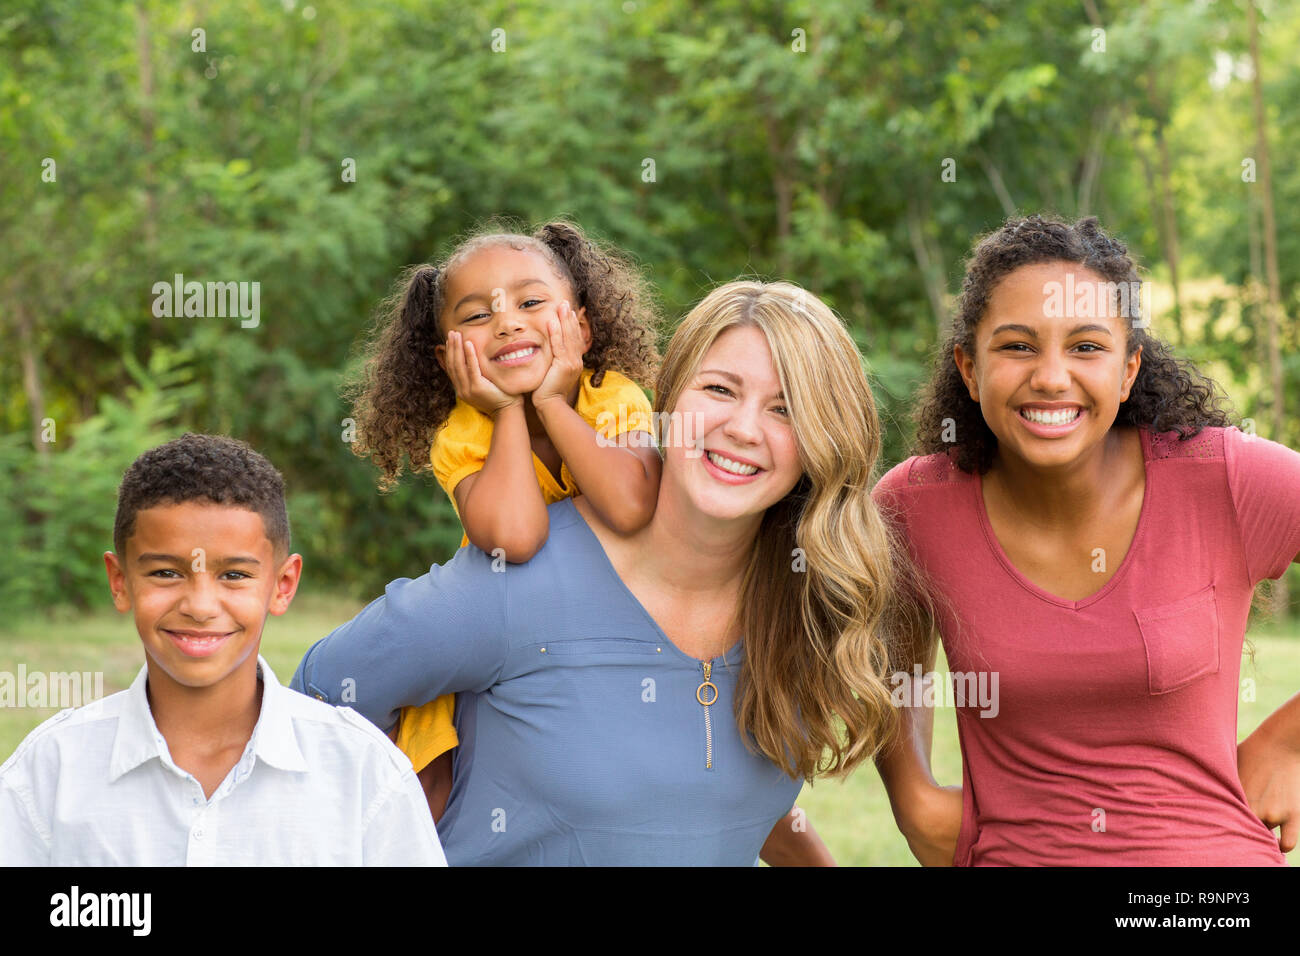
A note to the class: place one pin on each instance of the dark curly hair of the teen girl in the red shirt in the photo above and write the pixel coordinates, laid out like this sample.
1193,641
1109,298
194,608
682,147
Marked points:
1168,396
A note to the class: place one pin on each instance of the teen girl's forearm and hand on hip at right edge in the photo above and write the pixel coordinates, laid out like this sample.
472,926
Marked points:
1268,762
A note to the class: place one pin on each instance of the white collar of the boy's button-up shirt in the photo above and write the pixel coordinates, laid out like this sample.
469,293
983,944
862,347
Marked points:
274,738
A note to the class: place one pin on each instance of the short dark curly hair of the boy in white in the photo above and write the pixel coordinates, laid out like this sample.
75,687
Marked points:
203,468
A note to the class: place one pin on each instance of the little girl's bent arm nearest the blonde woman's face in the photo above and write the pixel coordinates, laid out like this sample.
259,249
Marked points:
622,483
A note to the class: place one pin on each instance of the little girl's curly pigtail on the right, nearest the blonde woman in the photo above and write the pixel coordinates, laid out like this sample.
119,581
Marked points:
618,304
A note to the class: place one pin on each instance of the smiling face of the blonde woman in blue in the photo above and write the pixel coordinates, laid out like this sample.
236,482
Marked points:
730,447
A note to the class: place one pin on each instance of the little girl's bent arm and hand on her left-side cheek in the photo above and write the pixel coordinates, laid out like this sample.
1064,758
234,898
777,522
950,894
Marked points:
501,505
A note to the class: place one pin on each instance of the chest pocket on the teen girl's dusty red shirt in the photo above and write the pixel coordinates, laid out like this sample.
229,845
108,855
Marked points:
1182,642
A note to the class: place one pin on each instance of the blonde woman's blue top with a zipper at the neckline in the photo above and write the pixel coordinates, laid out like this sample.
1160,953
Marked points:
583,739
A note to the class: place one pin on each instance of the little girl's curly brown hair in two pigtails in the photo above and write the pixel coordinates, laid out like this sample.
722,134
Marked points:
404,396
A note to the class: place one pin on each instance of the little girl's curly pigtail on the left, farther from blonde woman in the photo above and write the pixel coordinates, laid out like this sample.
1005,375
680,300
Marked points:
404,396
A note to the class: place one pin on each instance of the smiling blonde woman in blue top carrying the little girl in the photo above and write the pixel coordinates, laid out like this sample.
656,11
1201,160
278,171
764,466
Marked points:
660,698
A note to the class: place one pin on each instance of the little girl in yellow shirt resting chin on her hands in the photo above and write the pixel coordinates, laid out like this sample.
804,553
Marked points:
538,343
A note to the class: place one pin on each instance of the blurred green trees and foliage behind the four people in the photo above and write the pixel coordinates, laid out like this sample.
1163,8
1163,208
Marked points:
803,141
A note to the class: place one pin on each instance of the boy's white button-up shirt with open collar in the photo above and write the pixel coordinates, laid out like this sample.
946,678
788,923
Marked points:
315,786
